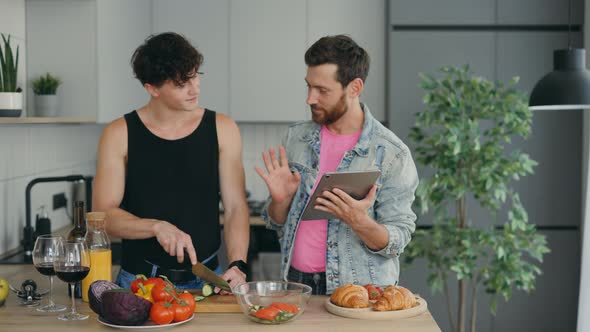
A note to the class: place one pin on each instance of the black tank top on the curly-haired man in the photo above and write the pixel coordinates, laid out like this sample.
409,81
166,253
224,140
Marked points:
176,181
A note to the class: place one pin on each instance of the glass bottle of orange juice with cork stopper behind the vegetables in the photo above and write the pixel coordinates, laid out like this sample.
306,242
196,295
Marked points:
99,246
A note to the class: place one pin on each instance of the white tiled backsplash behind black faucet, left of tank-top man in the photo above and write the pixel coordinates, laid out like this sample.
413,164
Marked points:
32,151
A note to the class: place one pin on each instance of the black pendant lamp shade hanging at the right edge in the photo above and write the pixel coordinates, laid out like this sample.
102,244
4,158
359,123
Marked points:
567,87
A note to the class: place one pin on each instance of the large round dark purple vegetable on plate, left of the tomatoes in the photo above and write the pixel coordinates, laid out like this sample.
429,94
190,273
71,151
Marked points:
121,307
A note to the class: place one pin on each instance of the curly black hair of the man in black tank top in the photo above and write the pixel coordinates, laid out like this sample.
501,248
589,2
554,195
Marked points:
166,56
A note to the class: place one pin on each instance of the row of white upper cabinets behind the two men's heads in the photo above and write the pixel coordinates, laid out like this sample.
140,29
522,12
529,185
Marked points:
253,51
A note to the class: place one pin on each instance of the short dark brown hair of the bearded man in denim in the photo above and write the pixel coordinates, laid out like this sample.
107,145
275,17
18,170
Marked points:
352,60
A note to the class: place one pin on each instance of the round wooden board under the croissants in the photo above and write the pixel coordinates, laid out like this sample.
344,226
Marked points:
369,313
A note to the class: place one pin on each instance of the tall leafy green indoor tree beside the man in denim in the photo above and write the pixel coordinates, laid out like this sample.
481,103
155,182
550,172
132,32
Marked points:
461,137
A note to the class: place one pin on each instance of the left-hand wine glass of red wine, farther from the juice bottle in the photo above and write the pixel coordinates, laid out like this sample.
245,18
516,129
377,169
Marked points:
44,254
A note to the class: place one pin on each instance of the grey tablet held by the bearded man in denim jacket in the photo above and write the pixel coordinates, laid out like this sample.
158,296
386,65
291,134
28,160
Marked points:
356,184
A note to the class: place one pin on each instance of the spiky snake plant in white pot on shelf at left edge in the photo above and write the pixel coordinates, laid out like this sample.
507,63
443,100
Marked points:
11,100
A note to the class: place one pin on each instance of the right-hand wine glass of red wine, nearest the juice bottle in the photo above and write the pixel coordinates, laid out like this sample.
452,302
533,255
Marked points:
72,265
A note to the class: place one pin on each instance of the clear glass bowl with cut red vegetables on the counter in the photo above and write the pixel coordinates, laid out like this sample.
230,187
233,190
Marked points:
272,302
